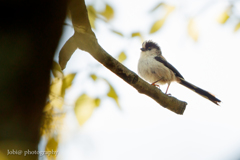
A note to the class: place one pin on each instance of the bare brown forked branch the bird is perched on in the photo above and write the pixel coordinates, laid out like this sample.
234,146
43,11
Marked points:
85,39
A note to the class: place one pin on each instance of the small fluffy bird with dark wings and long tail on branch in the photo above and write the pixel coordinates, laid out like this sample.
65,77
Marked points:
154,68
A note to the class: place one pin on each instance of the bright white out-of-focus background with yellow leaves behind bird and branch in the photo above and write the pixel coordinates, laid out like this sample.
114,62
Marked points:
200,38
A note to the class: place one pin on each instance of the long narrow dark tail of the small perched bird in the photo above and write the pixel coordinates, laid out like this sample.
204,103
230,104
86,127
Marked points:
200,91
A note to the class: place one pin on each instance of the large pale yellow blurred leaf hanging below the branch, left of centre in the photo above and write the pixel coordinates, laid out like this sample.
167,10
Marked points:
84,108
